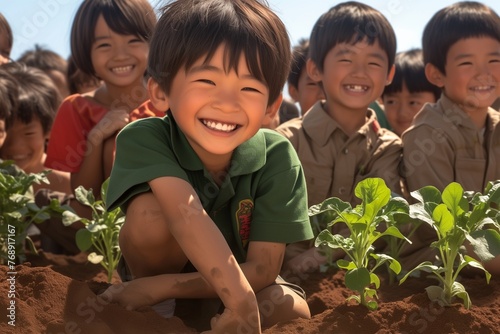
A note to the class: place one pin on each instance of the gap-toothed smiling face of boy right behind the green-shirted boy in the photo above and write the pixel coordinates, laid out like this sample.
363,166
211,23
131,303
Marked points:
353,76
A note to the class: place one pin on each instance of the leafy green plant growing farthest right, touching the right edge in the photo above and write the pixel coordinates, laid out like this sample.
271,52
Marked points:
456,217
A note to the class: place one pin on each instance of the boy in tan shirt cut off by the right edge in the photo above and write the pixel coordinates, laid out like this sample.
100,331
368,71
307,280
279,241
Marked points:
456,139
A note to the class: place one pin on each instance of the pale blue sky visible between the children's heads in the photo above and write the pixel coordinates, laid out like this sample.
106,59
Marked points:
48,22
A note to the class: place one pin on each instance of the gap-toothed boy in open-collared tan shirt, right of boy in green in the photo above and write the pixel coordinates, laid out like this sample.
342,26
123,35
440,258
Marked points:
339,141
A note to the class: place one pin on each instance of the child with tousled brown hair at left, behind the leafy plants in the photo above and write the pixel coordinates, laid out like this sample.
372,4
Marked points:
28,103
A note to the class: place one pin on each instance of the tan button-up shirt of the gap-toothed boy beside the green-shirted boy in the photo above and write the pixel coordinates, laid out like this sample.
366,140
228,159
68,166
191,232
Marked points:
334,162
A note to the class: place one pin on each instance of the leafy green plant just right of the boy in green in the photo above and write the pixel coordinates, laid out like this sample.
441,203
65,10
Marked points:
364,223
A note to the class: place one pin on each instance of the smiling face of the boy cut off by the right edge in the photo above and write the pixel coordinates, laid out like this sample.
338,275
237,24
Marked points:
472,76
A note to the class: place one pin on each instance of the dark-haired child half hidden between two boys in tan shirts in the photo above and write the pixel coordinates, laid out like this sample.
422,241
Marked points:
409,90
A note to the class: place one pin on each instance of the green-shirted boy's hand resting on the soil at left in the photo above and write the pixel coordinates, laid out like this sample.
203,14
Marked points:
131,295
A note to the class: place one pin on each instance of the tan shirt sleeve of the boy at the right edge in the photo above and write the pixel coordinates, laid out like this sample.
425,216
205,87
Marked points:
427,159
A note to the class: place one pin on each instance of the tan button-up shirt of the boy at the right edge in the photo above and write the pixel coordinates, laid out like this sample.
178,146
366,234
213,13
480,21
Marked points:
443,145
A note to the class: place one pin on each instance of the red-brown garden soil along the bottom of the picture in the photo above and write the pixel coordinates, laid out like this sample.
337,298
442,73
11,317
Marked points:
57,294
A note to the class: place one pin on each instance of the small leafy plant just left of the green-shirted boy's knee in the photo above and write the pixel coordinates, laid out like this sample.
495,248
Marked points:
100,234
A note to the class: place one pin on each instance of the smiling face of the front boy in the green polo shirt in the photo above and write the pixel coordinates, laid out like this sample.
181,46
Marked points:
215,109
